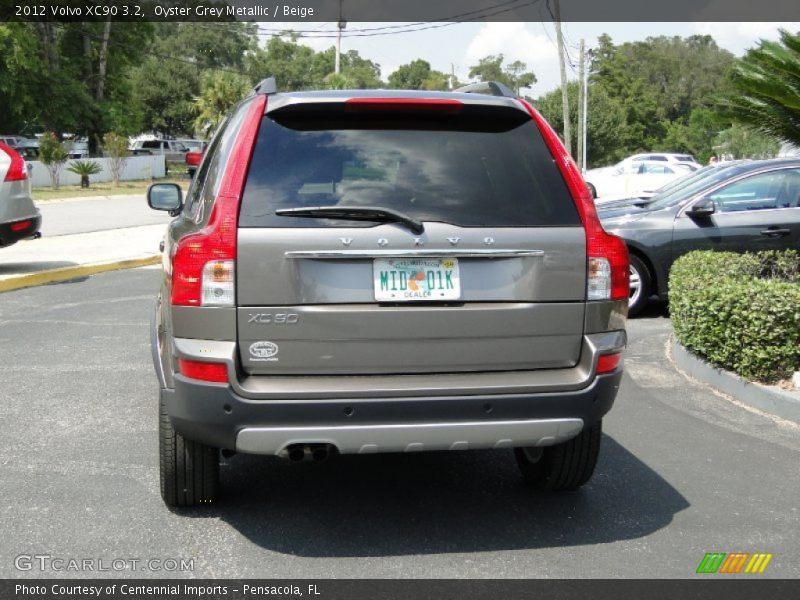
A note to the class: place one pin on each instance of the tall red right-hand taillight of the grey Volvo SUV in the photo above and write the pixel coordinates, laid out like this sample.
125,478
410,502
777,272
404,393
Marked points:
599,243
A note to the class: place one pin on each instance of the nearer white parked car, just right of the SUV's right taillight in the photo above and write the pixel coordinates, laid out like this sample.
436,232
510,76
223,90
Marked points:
631,178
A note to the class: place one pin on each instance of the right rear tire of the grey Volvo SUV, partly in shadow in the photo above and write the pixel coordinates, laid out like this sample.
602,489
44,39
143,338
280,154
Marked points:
565,466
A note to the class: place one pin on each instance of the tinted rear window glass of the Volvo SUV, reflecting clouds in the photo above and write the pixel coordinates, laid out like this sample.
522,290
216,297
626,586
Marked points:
480,168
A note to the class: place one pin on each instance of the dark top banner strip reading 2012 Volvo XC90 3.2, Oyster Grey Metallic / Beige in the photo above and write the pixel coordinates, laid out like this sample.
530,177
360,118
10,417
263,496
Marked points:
400,11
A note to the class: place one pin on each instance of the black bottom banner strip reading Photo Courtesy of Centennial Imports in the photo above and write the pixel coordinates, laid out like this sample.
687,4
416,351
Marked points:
397,589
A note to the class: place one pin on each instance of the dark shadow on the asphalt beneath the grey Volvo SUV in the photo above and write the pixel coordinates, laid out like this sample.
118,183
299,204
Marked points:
432,503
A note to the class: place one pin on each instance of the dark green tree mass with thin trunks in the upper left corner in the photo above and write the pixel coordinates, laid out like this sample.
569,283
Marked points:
81,68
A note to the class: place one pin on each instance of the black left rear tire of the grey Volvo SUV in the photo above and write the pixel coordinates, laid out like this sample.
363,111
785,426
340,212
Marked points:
189,470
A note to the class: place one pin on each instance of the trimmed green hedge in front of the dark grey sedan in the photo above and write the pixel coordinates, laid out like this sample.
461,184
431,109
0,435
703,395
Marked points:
741,312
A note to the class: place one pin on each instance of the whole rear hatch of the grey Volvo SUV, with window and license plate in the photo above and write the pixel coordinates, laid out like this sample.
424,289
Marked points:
406,238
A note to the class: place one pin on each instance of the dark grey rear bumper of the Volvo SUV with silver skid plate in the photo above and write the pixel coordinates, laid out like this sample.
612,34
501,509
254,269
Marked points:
216,415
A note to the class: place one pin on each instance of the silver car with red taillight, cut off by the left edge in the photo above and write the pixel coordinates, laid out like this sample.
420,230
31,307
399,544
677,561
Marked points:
19,218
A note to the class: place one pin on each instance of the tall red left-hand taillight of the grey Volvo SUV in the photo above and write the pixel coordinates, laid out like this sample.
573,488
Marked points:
217,240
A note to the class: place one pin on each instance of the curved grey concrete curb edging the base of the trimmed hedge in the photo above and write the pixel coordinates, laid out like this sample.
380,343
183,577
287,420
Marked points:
781,403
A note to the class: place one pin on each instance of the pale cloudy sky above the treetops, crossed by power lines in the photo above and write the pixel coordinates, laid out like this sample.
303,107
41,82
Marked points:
463,44
